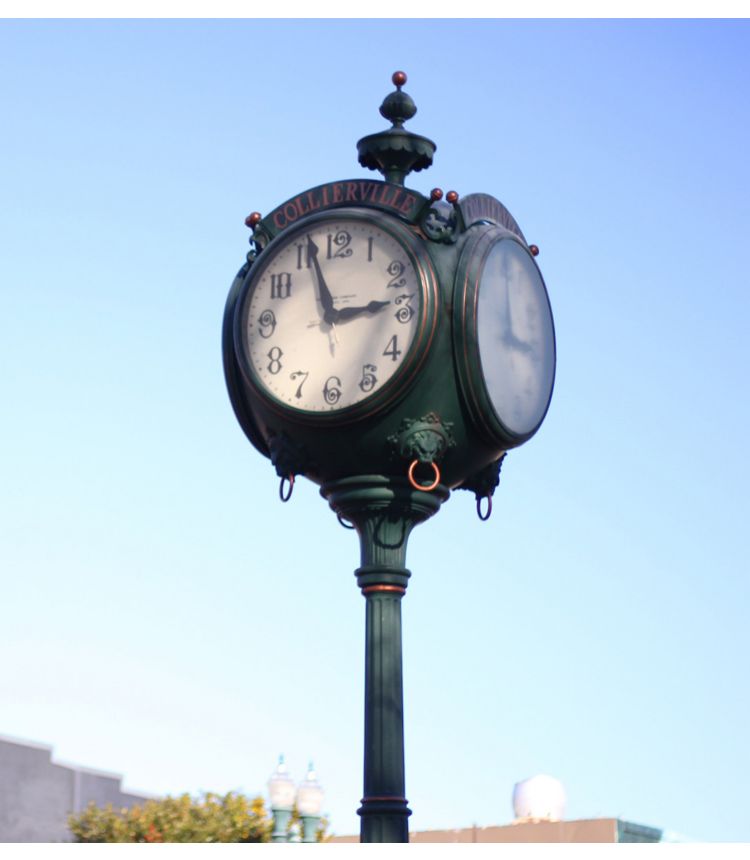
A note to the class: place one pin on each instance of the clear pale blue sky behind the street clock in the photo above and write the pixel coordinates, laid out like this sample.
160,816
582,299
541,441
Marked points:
166,617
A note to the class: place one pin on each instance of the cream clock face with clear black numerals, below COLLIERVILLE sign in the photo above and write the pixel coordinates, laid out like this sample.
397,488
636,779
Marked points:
336,314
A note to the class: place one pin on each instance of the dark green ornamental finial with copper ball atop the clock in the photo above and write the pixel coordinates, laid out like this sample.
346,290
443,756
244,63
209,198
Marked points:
396,152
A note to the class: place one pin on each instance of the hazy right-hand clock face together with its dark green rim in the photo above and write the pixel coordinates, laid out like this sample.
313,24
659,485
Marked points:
505,336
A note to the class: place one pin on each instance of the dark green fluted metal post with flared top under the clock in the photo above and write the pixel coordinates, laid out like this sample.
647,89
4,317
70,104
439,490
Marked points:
384,511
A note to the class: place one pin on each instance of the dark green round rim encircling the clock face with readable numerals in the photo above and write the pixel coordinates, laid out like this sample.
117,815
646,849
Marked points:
401,380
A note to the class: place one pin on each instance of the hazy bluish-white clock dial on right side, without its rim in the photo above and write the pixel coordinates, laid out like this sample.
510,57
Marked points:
515,337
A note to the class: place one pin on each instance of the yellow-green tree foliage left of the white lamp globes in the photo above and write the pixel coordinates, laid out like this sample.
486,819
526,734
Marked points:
211,818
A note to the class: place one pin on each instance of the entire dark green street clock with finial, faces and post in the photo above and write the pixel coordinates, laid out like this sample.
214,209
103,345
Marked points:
391,347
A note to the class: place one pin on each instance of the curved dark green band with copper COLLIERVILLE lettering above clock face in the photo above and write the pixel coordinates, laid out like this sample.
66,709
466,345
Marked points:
379,194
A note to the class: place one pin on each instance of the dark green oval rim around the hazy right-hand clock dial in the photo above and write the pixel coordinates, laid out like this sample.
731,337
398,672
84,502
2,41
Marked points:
468,359
